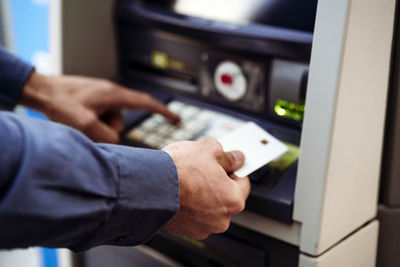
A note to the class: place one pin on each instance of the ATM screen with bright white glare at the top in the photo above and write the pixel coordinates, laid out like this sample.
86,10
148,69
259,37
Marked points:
290,14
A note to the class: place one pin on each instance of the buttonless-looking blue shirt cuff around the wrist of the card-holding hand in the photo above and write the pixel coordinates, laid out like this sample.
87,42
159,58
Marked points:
148,195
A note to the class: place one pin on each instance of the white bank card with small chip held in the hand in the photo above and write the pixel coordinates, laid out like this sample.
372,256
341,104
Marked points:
258,146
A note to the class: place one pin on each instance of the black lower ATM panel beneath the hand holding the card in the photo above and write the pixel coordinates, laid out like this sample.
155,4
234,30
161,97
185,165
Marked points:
238,247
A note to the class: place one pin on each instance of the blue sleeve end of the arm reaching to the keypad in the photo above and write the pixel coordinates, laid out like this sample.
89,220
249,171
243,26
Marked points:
13,75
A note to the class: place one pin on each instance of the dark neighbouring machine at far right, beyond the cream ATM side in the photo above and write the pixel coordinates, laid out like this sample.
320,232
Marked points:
389,199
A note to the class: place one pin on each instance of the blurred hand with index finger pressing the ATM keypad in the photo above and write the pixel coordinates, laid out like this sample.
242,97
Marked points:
93,106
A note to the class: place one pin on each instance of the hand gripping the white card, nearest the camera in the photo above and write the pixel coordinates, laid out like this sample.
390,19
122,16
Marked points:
209,193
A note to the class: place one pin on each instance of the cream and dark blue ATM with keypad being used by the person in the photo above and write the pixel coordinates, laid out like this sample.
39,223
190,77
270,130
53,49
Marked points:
312,73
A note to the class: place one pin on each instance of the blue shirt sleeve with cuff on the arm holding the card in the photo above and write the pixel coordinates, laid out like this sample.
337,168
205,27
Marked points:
59,189
